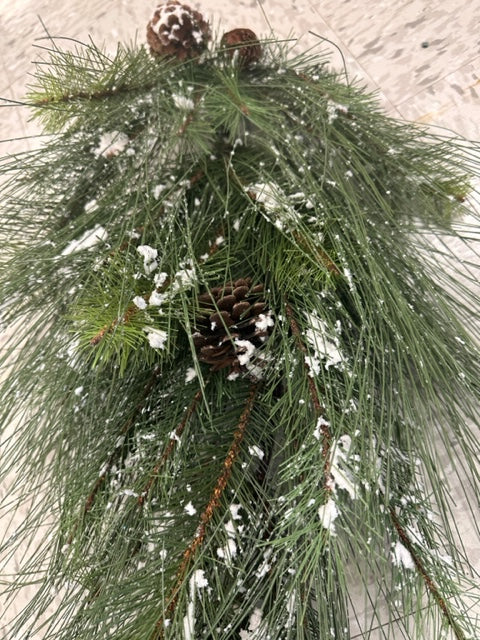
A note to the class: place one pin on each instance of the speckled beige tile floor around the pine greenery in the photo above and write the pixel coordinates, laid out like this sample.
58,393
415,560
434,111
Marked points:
421,56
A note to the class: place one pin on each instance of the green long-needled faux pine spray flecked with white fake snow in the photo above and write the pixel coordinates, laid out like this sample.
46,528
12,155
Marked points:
182,502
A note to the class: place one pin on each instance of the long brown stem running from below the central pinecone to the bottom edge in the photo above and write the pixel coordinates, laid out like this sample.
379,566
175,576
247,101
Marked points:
207,515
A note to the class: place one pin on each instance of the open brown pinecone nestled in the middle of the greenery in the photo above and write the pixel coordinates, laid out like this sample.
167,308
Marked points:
231,324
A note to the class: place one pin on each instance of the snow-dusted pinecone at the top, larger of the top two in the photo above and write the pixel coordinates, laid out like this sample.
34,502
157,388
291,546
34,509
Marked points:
178,31
